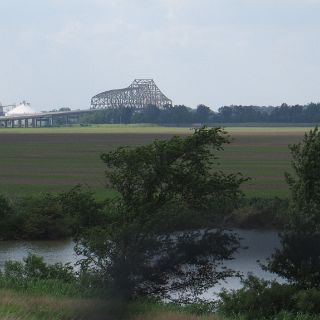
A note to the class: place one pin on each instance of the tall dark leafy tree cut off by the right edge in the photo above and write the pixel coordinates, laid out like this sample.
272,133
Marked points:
298,260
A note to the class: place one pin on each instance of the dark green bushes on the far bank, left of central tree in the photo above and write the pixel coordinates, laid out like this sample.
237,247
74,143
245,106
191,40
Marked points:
46,215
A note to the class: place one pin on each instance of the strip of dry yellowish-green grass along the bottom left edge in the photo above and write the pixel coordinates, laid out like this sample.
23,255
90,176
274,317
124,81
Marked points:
19,305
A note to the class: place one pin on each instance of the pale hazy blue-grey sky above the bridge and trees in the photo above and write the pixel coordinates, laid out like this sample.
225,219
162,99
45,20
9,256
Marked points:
58,53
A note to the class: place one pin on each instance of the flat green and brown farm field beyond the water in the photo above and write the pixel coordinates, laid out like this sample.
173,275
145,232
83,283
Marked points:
55,159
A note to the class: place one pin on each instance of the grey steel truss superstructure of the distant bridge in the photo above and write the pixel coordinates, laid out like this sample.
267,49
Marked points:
141,93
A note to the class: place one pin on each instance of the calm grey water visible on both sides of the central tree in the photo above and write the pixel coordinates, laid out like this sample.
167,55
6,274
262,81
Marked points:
260,246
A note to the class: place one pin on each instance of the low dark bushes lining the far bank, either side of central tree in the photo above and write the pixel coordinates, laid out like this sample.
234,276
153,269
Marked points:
49,216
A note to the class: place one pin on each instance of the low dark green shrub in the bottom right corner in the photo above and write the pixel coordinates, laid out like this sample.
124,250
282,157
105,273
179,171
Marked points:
260,299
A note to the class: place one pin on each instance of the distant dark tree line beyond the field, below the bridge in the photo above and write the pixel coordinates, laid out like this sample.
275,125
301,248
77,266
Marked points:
181,114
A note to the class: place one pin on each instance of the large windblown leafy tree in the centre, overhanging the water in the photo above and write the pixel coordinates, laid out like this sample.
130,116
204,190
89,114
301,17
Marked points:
133,247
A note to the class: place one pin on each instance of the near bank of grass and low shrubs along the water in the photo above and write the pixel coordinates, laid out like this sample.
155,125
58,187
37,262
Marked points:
53,293
